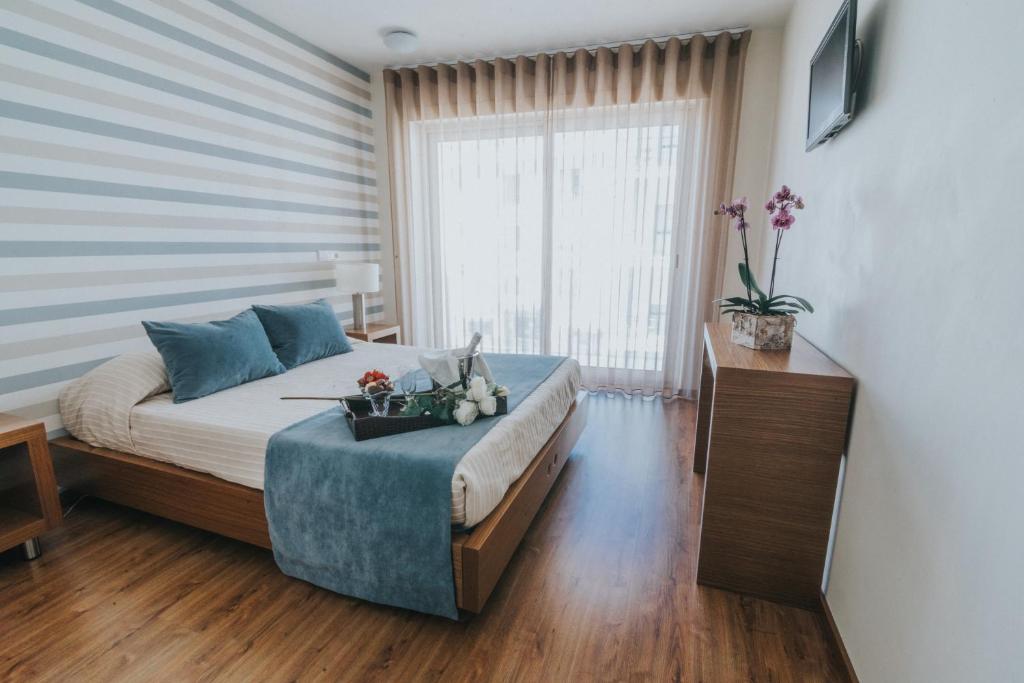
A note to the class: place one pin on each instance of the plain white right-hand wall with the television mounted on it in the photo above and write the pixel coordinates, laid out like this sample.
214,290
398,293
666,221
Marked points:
912,250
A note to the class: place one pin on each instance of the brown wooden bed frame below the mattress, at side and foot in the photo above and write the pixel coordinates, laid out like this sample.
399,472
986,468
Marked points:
204,501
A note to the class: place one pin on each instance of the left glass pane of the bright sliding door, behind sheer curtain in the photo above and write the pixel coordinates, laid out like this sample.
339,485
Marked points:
490,190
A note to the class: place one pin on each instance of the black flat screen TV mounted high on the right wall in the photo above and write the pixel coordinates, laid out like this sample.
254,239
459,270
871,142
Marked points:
833,78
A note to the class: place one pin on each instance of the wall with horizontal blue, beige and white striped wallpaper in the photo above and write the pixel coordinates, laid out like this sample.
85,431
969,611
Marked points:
165,160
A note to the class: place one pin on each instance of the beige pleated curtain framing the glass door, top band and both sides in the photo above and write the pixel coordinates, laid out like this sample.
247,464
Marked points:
703,69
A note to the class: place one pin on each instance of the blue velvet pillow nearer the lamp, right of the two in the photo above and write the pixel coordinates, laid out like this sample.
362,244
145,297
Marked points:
304,333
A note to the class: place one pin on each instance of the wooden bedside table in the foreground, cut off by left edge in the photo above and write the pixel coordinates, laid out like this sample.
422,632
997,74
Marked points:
29,501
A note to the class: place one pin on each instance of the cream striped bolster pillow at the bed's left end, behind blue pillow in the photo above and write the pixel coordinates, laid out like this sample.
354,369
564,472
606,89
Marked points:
97,408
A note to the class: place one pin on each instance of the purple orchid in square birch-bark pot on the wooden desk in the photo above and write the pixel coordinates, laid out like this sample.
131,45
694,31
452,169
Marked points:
763,321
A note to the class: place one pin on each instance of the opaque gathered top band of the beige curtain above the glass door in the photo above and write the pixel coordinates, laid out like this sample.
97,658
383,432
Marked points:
699,68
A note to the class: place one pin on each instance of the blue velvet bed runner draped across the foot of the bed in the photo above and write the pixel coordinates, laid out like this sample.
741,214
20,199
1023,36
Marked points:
373,520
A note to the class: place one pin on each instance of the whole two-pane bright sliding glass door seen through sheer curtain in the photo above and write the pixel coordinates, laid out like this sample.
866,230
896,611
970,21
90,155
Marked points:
557,235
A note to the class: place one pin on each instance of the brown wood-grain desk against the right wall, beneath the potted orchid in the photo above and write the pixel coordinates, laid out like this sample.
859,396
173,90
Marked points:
772,432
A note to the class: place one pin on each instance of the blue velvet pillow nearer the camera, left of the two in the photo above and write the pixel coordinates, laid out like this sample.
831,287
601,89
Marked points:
205,358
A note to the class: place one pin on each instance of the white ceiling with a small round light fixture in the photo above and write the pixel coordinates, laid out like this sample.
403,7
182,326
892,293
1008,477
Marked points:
470,29
